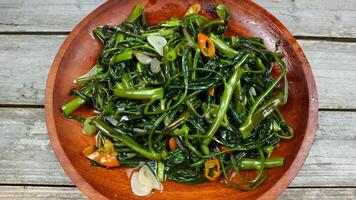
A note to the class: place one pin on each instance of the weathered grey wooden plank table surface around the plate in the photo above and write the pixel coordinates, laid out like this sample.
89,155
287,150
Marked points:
31,32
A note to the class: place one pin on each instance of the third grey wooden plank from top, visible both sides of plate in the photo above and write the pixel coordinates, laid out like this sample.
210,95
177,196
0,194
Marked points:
27,157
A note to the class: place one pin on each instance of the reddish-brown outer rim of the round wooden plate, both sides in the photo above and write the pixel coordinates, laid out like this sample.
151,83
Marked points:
272,193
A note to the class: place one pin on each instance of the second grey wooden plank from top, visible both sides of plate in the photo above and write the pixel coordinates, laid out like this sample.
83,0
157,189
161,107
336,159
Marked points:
25,65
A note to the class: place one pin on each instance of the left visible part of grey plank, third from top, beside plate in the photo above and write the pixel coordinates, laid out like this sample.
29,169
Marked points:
26,153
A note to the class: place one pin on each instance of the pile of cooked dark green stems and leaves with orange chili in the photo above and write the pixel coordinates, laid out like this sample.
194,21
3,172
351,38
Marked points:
184,99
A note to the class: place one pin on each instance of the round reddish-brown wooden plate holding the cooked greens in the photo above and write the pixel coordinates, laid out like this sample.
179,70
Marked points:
79,53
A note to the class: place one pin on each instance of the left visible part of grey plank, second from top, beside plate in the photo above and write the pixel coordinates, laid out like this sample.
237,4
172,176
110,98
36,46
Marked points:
25,62
